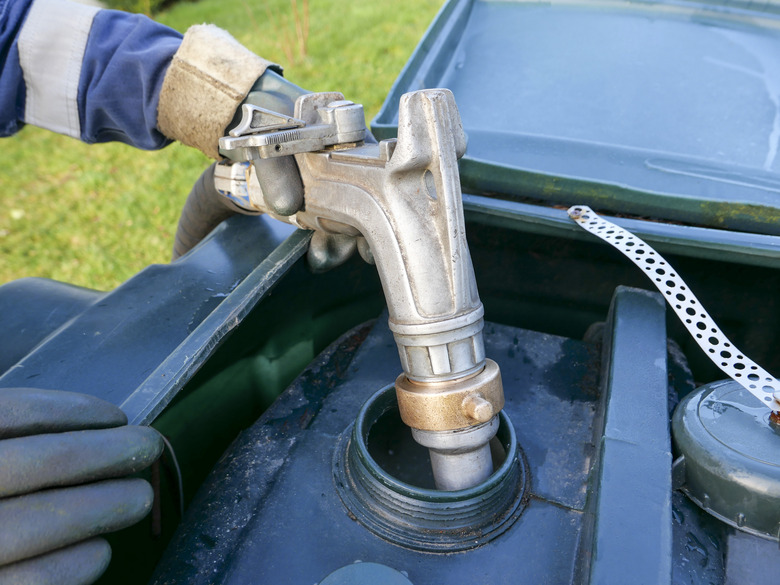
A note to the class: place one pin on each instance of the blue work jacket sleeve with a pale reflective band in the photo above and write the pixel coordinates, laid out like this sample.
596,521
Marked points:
89,73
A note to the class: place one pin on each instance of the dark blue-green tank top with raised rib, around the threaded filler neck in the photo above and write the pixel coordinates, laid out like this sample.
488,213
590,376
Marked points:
597,505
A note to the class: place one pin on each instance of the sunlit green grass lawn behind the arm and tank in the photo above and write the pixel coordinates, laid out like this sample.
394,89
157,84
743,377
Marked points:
94,215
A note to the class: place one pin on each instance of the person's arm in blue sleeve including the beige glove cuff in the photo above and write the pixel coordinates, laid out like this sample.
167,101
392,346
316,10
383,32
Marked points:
104,75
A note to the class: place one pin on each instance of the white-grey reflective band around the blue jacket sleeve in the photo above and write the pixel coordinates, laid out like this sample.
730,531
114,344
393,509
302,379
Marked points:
51,49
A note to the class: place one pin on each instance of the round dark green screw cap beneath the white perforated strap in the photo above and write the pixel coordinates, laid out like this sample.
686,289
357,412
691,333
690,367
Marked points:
730,457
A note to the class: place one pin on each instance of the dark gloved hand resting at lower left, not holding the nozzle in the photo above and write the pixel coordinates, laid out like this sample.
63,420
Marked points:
62,460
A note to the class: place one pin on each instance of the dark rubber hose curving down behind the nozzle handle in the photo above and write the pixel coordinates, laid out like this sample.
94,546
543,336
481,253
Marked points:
204,210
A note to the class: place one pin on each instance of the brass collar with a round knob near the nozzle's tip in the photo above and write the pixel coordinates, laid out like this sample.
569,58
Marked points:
451,405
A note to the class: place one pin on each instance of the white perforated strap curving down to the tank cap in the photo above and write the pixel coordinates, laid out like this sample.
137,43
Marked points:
697,321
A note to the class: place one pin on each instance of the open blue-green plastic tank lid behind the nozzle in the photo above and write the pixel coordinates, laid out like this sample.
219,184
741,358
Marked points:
666,110
